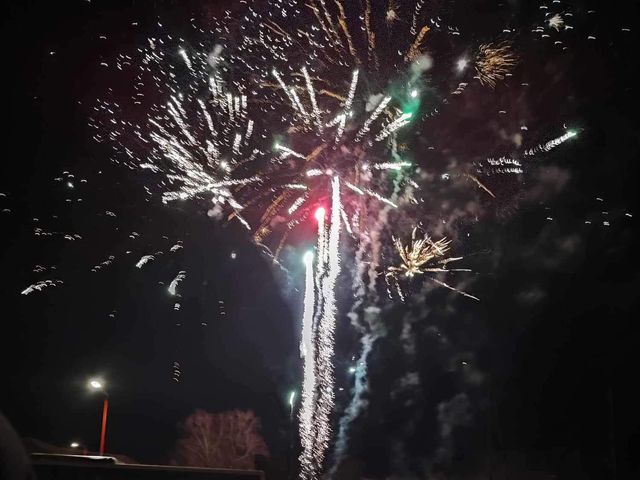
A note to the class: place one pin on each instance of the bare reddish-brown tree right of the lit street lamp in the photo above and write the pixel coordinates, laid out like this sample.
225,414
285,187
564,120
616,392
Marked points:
220,440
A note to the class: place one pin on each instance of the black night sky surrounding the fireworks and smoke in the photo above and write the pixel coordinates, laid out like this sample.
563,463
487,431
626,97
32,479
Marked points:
553,338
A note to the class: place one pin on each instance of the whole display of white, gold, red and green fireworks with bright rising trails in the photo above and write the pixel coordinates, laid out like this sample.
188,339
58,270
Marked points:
303,108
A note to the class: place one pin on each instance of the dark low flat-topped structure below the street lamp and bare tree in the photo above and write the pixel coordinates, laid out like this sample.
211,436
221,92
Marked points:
72,467
